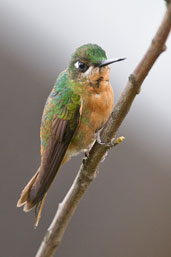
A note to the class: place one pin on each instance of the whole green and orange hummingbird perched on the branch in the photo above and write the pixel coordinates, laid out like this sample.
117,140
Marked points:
78,106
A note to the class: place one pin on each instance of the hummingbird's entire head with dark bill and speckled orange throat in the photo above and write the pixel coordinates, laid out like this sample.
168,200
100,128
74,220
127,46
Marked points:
89,63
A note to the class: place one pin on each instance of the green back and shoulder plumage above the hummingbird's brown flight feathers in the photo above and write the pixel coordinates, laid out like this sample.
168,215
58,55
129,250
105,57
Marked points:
62,102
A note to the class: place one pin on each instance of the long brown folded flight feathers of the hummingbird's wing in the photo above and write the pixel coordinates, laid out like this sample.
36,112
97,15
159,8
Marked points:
62,133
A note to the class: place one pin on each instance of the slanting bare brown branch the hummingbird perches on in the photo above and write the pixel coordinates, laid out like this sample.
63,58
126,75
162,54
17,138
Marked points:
88,169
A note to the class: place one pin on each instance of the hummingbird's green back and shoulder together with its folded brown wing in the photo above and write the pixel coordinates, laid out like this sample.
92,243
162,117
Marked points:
59,122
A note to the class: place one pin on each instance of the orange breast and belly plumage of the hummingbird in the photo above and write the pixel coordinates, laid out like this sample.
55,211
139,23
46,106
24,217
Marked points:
95,112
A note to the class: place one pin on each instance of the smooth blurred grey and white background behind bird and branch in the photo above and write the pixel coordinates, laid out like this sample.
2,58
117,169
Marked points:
126,212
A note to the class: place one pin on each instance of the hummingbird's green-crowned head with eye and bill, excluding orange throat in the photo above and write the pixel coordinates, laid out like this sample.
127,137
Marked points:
85,59
